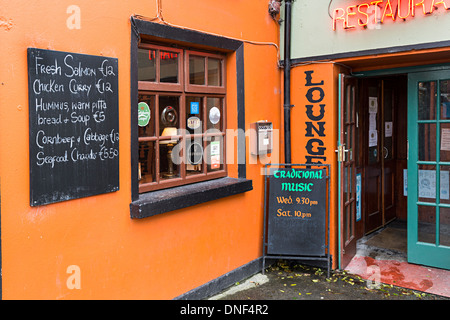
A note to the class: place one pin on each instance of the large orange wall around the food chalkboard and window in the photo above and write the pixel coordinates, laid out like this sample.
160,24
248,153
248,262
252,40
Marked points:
160,257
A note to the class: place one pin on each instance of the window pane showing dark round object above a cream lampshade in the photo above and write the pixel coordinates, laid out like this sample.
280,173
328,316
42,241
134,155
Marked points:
169,115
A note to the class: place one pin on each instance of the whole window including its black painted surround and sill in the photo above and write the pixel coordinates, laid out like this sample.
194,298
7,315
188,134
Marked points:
148,83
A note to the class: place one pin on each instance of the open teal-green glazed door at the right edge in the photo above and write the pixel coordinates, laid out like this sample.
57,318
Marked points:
429,168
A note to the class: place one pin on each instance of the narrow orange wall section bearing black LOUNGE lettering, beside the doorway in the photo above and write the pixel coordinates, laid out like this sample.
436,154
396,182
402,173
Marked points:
323,80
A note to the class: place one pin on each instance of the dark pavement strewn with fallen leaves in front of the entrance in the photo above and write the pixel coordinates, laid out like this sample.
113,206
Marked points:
287,280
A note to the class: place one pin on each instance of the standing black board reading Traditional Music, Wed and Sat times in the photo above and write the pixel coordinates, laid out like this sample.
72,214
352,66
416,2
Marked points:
296,213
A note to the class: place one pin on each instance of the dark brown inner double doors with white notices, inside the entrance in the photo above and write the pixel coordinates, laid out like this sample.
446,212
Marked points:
379,102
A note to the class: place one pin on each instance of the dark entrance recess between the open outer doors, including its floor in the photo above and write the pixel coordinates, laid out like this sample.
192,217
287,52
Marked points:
381,166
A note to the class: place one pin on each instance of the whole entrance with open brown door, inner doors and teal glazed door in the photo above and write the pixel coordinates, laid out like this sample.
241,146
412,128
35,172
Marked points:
394,154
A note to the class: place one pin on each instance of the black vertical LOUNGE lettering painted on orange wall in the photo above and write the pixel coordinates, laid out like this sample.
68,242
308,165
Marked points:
315,124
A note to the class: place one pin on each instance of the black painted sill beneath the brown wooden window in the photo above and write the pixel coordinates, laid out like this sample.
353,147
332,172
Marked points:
161,201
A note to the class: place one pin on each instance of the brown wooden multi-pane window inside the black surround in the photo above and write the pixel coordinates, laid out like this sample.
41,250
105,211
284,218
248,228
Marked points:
181,117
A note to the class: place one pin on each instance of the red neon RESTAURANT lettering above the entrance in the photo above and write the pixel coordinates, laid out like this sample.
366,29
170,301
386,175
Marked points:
373,13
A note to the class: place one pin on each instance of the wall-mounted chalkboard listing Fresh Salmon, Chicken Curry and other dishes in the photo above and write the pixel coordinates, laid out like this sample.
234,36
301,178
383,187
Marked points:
74,125
